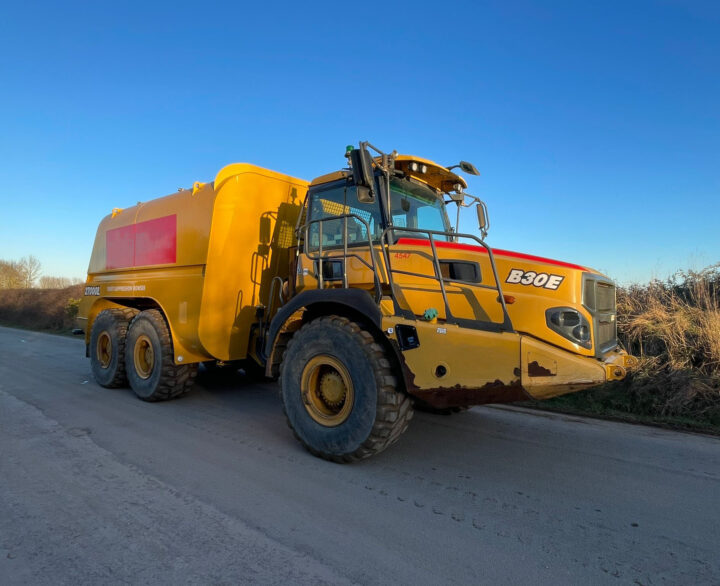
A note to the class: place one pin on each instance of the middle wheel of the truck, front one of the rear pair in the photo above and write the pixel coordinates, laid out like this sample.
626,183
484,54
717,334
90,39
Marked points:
149,362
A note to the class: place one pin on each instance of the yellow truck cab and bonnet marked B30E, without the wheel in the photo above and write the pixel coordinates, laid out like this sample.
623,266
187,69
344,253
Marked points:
467,324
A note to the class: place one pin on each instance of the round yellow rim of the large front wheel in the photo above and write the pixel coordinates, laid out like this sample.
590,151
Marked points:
327,390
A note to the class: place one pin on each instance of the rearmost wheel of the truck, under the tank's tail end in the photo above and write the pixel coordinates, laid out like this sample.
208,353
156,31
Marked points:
107,346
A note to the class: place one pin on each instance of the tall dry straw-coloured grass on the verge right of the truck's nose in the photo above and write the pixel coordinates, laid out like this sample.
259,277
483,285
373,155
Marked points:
674,328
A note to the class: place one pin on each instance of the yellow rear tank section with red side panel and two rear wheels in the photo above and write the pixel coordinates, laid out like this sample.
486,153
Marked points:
202,258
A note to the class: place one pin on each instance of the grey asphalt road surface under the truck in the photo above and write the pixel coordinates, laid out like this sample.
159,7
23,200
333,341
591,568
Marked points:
97,486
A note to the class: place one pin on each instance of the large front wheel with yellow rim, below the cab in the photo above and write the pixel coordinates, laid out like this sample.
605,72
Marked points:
339,393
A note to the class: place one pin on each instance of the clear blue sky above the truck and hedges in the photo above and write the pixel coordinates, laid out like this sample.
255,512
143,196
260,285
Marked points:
596,126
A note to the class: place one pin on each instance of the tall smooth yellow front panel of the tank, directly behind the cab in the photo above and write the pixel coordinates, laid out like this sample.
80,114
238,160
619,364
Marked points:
255,213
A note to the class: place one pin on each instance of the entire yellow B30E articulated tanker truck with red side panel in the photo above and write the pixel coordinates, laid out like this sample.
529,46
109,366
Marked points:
355,290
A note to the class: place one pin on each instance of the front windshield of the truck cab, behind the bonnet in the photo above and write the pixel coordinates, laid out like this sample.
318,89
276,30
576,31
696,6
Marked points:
413,205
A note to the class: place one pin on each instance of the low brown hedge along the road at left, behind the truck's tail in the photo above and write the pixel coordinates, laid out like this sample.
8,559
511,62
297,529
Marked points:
50,310
